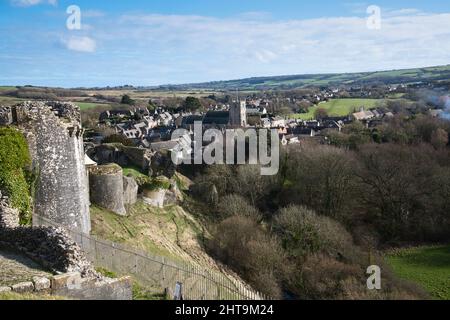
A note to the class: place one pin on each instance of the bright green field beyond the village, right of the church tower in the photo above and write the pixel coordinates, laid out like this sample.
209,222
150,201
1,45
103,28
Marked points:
339,107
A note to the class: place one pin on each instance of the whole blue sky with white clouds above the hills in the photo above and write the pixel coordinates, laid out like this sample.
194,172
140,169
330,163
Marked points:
155,42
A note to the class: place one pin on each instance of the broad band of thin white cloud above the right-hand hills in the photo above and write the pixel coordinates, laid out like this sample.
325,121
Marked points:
240,47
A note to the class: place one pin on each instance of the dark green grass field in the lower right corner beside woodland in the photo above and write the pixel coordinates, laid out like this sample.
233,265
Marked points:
426,266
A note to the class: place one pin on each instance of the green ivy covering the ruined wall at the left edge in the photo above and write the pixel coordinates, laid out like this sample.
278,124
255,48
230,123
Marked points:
14,169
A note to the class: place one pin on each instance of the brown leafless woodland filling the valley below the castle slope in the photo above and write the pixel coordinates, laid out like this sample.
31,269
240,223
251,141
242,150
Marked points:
311,231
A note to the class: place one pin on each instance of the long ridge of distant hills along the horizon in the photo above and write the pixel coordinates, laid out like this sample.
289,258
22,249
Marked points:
10,94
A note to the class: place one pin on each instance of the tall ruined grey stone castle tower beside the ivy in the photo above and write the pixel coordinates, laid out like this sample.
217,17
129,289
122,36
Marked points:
55,138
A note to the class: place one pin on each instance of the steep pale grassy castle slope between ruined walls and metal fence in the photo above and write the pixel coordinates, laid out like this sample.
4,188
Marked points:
170,232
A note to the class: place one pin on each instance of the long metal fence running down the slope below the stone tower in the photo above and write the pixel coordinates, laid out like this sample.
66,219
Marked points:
159,272
